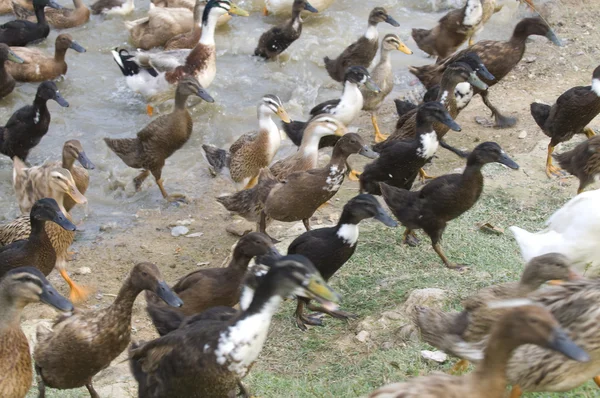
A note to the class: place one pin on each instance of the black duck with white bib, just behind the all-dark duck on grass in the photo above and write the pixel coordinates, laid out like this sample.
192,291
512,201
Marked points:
399,163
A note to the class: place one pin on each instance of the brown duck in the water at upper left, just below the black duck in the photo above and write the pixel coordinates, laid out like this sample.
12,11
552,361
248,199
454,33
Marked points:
38,66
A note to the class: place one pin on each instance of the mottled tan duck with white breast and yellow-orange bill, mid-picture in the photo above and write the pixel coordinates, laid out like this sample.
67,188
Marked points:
251,151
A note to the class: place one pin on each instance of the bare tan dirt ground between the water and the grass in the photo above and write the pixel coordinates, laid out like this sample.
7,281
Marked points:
544,73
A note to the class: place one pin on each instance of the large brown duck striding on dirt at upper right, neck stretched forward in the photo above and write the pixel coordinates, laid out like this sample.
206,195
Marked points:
499,57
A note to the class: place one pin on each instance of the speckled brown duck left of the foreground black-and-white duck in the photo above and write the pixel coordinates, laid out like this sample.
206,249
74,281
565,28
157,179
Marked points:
82,344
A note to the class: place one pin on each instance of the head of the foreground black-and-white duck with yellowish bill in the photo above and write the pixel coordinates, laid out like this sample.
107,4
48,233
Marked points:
296,275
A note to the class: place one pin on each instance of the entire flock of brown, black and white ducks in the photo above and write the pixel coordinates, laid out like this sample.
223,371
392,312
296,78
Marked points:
534,338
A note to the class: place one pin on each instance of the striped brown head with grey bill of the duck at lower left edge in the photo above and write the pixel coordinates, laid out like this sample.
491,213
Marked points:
26,285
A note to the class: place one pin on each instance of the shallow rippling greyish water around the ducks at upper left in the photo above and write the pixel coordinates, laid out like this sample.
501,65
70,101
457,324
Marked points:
102,105
